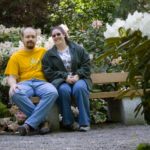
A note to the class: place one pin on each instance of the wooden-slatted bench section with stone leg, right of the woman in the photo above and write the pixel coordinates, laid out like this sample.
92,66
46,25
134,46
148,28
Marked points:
120,108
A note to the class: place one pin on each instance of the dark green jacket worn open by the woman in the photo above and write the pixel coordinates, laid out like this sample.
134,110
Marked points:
55,71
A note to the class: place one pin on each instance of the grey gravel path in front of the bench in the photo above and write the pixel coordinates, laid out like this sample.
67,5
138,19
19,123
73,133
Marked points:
105,137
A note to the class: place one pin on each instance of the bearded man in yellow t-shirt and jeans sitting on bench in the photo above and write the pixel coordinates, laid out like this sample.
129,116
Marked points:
26,79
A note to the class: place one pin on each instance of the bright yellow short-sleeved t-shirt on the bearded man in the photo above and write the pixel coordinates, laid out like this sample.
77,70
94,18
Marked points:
26,65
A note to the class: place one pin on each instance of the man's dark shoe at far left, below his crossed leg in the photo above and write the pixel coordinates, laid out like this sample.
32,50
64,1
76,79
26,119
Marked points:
24,129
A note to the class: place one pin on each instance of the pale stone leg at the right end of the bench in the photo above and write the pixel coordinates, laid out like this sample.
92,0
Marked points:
123,111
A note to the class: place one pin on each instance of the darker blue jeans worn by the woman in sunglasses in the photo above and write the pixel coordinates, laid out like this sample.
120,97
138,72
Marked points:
80,92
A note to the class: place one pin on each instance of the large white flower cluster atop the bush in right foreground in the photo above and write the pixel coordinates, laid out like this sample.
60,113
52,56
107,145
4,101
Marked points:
134,22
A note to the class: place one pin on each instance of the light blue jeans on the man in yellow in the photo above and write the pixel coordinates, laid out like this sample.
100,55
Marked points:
36,113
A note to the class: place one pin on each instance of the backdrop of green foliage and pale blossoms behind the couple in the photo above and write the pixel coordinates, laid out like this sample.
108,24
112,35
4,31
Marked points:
77,14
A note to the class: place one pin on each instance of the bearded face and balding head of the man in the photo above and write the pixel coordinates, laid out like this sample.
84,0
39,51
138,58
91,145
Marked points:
29,38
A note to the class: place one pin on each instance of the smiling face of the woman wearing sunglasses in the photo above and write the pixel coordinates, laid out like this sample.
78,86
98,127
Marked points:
58,37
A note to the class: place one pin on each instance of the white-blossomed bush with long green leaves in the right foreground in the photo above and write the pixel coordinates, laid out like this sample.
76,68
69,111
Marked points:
129,40
